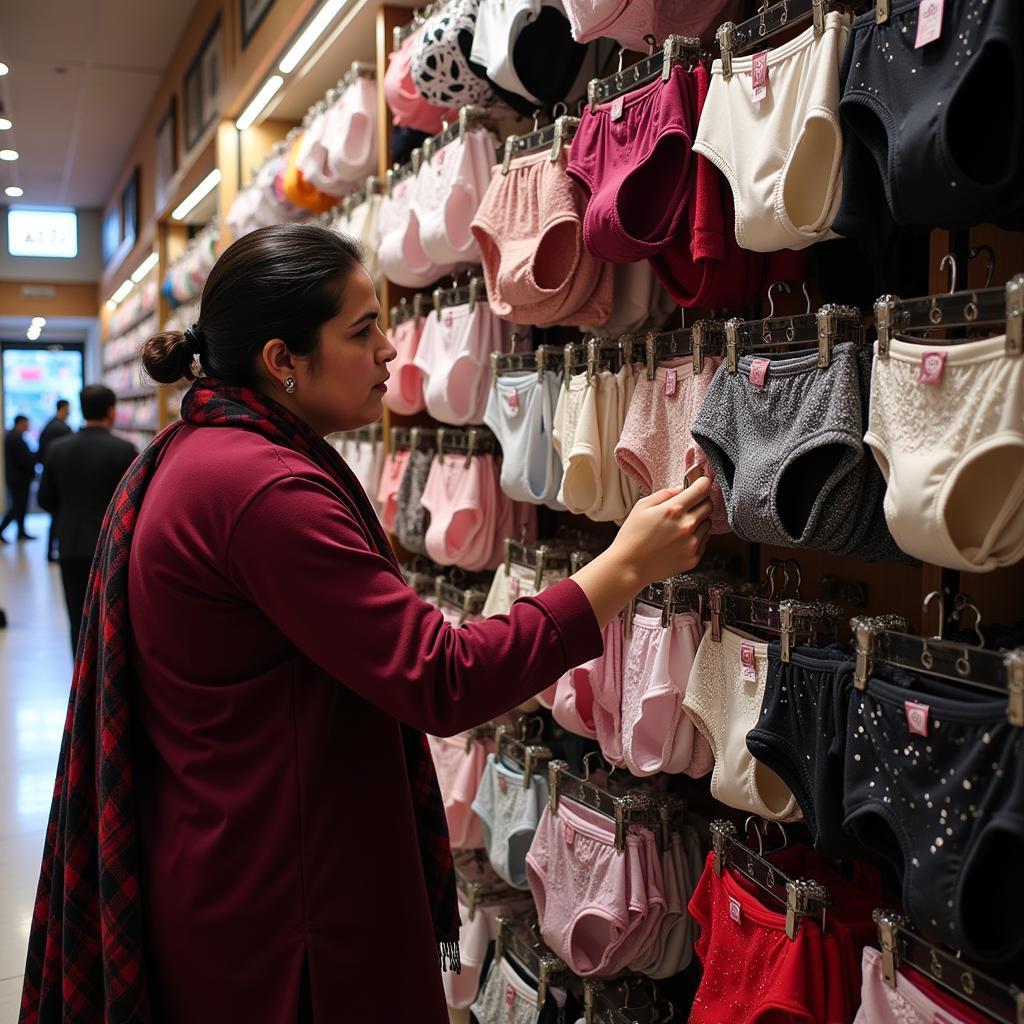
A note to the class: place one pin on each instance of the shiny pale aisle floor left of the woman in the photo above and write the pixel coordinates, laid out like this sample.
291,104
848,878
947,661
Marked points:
35,675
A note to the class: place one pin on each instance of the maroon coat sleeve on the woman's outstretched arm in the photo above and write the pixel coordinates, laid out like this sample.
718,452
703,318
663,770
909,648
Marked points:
300,556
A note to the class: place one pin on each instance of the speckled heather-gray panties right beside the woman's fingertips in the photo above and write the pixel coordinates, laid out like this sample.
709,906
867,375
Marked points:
790,455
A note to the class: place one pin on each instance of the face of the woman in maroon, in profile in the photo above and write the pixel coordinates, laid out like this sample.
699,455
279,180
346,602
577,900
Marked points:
344,389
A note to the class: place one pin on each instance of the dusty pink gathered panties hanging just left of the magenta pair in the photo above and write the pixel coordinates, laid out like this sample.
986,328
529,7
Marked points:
530,231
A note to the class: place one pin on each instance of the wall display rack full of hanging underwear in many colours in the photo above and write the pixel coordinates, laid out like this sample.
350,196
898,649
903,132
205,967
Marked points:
625,244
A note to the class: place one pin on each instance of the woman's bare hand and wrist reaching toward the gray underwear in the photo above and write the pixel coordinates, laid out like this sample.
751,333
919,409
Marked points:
665,535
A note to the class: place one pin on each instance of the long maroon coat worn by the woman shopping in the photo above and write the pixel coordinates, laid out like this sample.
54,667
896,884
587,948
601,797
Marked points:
277,654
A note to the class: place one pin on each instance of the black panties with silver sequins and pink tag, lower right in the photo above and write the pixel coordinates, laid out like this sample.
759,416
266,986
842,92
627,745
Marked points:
932,786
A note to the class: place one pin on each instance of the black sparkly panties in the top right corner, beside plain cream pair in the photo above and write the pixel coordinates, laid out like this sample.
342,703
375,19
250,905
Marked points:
911,119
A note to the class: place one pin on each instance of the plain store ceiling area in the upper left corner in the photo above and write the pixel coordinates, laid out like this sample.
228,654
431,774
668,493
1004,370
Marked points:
82,77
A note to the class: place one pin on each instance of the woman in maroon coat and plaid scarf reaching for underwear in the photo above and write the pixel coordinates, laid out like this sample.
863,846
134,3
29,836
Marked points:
254,680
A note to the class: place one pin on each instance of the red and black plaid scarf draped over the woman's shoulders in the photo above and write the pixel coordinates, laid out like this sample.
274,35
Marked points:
87,963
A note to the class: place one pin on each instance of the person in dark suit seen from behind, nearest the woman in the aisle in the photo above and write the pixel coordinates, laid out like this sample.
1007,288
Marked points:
80,476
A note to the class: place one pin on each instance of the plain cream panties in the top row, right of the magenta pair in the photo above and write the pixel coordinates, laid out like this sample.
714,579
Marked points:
783,157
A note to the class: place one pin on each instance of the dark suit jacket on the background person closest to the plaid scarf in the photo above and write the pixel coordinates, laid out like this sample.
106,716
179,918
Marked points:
80,477
